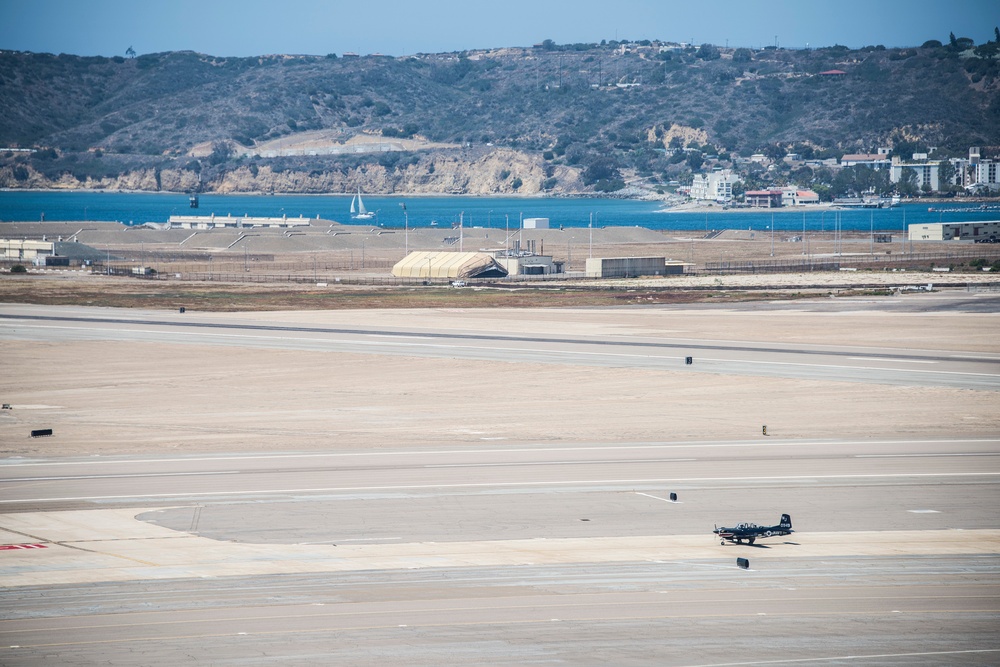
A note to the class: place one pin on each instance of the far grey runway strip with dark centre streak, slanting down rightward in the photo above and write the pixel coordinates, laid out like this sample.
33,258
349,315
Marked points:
855,364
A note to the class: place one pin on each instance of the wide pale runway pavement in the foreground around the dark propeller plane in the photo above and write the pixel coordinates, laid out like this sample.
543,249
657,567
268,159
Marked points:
509,555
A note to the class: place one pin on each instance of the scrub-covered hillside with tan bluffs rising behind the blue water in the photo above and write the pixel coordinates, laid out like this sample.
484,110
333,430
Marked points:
562,119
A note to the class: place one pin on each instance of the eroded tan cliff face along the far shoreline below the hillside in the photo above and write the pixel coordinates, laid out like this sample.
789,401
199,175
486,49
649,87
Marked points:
501,171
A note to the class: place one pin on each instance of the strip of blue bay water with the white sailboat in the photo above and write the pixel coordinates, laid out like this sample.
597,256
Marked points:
496,212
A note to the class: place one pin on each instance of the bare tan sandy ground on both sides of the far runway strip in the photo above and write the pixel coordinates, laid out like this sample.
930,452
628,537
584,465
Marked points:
111,397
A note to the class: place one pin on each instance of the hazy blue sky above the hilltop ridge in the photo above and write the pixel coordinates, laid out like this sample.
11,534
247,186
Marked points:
400,27
